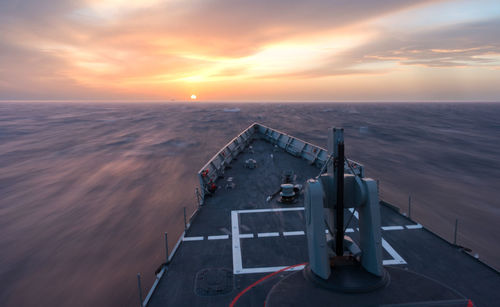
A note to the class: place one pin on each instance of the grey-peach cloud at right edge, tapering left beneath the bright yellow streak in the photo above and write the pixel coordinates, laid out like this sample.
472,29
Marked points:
455,46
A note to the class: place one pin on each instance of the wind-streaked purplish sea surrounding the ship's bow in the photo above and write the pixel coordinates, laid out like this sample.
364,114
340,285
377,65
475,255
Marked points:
87,190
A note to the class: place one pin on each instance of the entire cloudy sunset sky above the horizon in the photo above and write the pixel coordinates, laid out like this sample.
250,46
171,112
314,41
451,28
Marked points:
250,50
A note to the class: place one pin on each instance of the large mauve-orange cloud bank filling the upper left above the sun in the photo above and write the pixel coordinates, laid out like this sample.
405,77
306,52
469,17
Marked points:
93,44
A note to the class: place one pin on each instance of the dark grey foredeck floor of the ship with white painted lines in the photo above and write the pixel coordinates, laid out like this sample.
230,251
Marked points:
416,248
